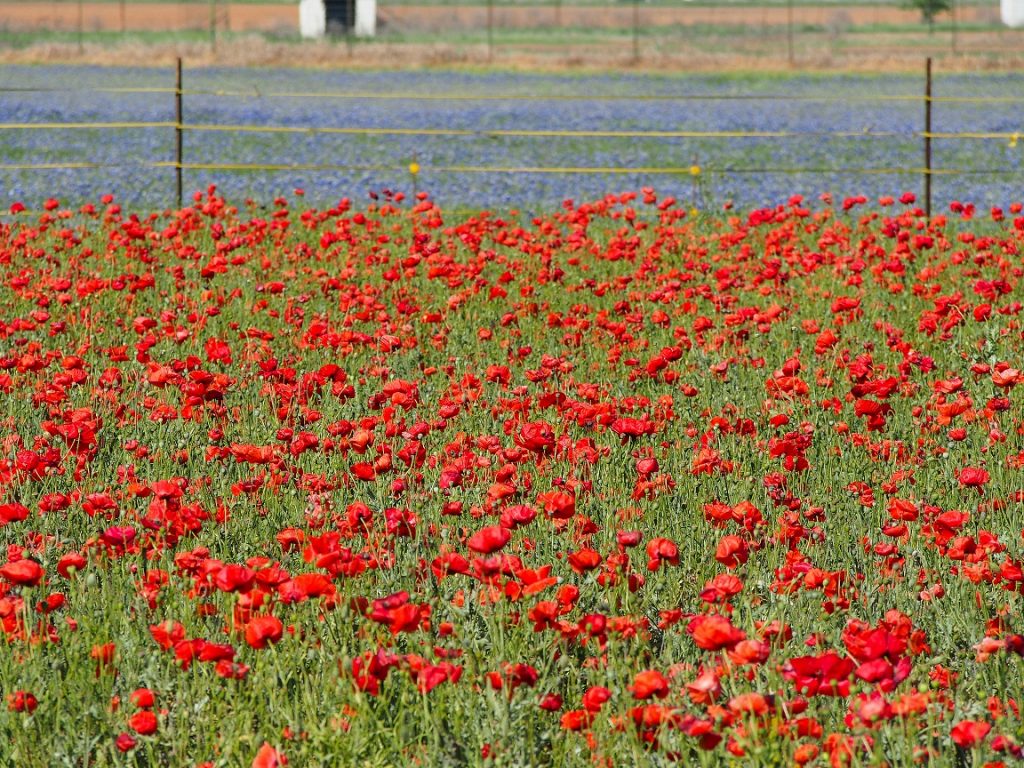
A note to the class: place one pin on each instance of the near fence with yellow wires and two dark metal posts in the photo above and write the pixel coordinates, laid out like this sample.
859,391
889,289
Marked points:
181,127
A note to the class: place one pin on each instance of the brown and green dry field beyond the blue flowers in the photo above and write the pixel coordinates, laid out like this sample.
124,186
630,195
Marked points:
879,36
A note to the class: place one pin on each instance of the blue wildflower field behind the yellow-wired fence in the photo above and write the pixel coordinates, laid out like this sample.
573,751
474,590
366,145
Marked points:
750,172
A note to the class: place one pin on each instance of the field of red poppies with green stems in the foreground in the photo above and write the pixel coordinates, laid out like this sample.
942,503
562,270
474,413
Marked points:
618,484
